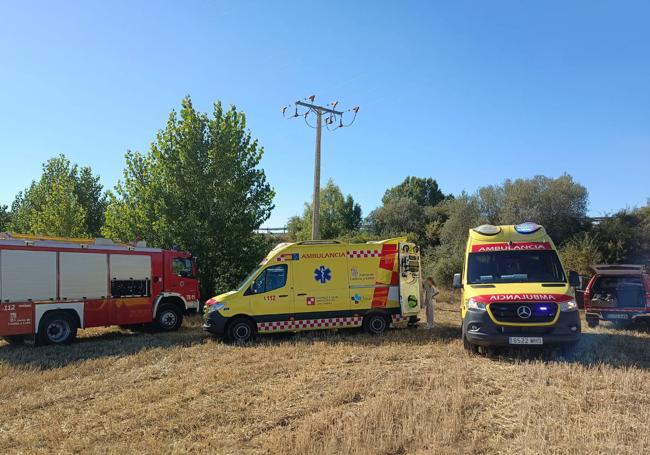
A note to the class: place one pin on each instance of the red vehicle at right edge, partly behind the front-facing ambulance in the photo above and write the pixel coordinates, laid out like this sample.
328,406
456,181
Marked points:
619,293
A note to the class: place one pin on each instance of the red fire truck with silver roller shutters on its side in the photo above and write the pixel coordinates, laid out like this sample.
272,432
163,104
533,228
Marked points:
50,287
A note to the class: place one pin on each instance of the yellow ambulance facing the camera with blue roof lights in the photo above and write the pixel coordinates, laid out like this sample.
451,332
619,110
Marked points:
515,290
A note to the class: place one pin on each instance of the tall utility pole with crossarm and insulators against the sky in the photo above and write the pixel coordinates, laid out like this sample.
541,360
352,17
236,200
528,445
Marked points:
331,115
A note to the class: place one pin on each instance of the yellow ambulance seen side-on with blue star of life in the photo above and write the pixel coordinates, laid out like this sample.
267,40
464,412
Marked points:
315,285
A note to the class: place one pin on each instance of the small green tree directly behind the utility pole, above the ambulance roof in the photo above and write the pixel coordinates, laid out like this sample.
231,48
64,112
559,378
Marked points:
339,215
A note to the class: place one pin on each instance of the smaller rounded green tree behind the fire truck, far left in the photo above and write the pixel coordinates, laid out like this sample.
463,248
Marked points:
66,201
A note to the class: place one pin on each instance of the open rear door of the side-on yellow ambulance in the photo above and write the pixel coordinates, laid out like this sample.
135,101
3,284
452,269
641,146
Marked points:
410,280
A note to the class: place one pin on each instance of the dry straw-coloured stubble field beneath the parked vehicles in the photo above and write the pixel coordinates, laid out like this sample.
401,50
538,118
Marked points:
411,391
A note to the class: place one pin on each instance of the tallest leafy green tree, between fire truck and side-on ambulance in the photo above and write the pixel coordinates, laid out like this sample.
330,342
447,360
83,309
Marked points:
199,188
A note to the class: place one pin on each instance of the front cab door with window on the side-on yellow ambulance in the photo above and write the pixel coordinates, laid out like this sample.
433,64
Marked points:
270,294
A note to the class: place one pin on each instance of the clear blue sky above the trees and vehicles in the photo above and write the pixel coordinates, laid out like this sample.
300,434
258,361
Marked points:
467,92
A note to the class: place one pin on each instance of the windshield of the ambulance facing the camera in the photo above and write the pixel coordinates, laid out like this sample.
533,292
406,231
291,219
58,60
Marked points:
514,267
